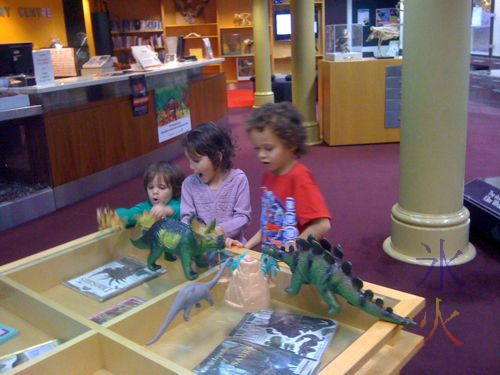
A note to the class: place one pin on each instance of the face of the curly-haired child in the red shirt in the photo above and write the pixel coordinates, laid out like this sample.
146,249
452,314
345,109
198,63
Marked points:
272,151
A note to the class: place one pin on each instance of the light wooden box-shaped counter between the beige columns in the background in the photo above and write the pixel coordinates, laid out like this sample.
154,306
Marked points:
352,101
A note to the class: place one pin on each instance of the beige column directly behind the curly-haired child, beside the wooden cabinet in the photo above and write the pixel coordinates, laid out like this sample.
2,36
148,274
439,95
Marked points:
304,66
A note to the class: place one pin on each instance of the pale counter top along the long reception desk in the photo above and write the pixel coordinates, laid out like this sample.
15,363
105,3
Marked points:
85,81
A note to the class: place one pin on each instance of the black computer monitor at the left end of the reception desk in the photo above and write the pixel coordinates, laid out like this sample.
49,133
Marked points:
16,58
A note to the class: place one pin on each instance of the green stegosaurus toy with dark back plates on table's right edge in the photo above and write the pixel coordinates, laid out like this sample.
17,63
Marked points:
330,275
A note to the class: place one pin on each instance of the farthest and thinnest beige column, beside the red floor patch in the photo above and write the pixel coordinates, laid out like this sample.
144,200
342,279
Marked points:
262,53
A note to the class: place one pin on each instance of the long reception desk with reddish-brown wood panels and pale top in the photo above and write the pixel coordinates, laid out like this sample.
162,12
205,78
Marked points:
89,137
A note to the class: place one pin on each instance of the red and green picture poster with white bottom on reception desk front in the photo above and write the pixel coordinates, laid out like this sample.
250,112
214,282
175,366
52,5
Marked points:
173,115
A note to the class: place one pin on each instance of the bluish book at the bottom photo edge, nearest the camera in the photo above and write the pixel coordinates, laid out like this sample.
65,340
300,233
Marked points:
238,357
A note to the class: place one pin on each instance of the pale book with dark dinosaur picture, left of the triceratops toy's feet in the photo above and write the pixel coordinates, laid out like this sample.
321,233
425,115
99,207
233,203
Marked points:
113,278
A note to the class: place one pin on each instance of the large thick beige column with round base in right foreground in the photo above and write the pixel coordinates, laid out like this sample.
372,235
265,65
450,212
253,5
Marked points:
430,213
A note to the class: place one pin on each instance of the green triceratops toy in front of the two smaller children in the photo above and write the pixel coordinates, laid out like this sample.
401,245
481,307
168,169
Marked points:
175,239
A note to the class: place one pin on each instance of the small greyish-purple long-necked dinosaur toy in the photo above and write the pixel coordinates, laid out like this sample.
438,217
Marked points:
189,296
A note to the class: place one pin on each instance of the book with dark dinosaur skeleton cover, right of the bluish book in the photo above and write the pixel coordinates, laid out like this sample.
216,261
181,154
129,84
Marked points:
303,335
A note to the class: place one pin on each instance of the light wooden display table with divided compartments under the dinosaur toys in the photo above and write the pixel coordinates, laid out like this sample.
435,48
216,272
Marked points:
35,301
